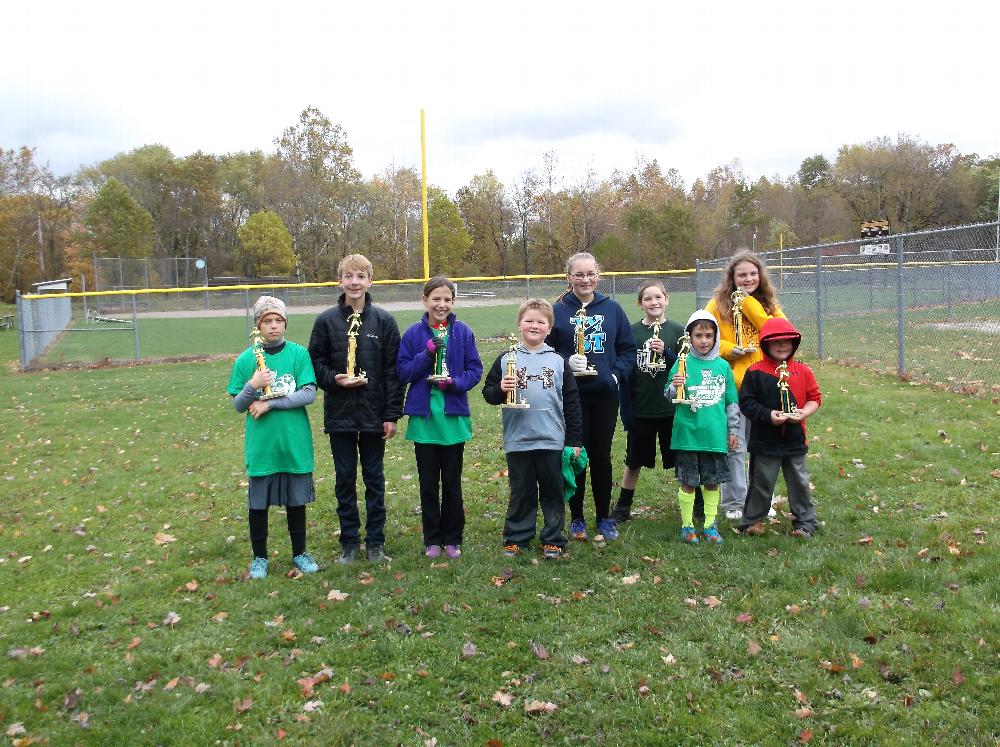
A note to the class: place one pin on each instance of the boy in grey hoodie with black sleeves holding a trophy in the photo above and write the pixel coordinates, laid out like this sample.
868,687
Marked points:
535,436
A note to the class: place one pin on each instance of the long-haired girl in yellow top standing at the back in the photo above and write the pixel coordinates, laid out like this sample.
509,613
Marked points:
747,272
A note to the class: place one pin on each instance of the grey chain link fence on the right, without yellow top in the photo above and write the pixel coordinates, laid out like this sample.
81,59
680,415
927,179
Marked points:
924,306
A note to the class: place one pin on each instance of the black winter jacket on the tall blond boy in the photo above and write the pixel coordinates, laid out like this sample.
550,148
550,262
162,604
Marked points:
365,408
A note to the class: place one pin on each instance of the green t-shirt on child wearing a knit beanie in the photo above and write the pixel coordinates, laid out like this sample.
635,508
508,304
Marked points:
281,440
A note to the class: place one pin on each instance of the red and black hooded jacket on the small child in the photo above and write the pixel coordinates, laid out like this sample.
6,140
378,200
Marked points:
759,395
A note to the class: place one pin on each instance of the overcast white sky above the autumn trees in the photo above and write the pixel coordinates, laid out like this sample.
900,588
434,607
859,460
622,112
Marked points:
599,83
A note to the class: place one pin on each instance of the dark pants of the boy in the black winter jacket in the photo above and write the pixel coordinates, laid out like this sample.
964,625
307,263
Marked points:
346,448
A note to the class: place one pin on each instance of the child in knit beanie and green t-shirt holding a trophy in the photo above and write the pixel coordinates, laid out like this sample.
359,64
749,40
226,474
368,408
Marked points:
273,382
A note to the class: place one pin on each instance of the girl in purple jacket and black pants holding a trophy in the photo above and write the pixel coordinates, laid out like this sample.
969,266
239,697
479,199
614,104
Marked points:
439,360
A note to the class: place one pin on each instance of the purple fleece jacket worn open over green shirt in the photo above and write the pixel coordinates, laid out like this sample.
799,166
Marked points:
414,365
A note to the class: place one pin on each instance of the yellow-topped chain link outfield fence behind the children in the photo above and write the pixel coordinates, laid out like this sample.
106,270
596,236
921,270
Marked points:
173,323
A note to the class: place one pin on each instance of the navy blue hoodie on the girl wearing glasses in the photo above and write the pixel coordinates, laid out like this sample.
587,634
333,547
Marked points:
608,342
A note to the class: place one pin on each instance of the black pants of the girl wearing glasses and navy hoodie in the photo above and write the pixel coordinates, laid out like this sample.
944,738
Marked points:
600,419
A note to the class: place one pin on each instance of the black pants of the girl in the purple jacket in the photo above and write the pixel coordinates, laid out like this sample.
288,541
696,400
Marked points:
444,519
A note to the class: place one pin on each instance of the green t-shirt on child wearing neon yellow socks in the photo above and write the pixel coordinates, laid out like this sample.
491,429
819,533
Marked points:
711,383
